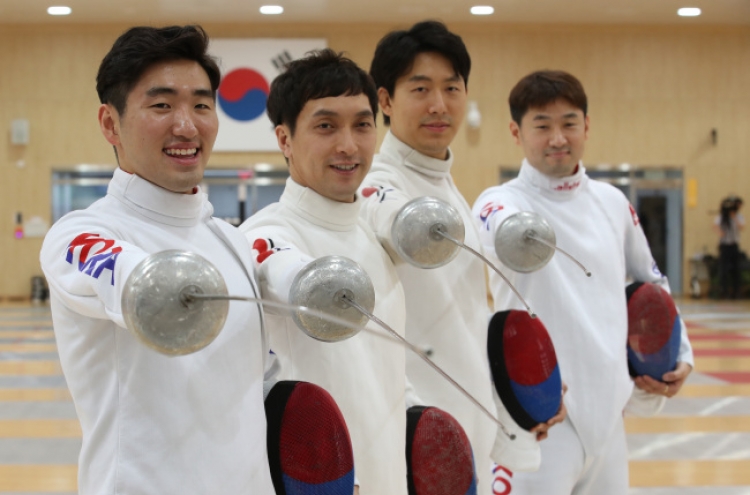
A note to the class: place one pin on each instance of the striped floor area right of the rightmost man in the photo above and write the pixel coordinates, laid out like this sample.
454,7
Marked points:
700,443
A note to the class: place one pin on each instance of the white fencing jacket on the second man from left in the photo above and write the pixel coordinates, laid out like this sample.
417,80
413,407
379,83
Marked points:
365,374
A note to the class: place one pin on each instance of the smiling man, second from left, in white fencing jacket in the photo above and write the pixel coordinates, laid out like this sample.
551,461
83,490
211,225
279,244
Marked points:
324,107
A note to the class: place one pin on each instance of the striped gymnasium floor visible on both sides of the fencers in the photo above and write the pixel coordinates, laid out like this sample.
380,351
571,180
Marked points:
699,445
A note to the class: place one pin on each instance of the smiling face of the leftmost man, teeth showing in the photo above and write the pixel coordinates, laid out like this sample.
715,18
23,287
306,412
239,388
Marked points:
169,128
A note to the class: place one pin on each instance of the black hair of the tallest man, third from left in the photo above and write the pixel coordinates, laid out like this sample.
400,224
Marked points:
396,51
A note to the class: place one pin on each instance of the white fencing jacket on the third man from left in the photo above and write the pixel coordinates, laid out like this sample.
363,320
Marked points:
446,308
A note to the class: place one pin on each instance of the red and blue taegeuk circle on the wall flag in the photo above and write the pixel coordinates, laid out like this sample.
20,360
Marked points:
243,93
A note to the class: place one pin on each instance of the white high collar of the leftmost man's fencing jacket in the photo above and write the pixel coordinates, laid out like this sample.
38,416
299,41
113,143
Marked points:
157,203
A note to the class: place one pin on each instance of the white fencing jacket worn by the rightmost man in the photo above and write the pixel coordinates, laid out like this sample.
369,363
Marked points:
586,317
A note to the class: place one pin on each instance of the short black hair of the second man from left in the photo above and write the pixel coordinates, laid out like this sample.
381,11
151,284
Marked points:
320,74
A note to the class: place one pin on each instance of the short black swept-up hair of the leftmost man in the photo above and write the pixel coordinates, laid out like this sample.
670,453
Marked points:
139,48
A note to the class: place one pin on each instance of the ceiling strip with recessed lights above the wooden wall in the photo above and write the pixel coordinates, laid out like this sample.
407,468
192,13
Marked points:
735,12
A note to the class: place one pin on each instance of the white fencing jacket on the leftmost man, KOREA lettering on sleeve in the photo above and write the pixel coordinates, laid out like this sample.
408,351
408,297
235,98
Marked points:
154,424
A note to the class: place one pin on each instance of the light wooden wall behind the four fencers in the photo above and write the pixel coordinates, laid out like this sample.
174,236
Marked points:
655,93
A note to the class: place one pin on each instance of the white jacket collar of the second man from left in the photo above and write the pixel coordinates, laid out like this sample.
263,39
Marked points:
319,210
